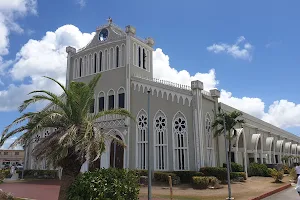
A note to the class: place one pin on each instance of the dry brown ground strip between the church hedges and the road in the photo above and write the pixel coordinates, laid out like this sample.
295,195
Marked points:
253,187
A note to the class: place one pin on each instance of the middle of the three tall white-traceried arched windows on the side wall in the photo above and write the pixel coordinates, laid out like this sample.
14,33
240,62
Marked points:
160,141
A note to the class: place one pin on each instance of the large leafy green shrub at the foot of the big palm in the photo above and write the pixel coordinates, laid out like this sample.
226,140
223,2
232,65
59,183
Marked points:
105,184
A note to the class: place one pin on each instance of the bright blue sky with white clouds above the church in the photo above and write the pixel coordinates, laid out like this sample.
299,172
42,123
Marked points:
251,47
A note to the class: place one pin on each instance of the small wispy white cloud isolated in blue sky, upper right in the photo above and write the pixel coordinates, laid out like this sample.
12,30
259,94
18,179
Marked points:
241,49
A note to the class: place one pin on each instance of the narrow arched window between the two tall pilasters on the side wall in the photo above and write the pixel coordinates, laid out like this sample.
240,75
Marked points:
209,141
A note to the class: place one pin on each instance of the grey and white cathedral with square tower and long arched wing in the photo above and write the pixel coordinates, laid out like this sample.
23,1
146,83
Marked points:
178,116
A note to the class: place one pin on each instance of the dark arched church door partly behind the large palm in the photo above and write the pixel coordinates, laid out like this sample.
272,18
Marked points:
116,154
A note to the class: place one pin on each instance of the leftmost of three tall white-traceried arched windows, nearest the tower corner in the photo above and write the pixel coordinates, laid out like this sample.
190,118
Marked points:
142,140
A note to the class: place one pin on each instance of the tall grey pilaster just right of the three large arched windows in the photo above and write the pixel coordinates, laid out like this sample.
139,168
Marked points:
197,86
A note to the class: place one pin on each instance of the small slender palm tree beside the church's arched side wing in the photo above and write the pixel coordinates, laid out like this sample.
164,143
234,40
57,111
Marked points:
231,120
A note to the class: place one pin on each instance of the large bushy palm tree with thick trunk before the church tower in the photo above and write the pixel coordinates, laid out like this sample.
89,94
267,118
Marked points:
75,140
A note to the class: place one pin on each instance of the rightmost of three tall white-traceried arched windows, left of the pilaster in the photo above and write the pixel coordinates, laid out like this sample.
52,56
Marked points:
180,136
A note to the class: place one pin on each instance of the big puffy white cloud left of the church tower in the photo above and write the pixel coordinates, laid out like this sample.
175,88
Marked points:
37,58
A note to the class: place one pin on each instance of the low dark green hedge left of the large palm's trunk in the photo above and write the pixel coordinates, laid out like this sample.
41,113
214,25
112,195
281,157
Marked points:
39,174
